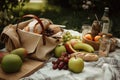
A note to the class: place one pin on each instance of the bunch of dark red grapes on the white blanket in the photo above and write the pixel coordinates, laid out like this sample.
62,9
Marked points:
61,62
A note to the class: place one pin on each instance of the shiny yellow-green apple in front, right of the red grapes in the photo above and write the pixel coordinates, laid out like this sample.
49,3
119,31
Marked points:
76,64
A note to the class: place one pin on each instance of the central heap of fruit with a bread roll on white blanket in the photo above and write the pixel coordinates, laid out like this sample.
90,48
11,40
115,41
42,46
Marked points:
71,54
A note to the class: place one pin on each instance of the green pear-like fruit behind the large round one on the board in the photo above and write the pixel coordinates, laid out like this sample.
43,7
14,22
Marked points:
22,52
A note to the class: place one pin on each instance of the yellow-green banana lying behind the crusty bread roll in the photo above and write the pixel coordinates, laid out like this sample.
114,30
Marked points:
83,46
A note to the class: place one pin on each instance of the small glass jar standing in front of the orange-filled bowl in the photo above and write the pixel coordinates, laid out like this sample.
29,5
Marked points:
104,47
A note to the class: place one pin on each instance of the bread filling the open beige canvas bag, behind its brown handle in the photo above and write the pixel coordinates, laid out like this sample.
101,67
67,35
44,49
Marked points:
49,27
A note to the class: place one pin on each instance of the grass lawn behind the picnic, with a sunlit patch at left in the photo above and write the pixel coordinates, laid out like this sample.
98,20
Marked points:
71,18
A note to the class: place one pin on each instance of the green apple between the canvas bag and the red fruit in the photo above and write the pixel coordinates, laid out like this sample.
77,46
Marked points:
59,50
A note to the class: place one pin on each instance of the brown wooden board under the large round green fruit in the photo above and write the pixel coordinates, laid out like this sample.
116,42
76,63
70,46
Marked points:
28,67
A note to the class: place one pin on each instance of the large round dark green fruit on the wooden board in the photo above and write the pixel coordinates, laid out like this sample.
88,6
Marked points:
11,63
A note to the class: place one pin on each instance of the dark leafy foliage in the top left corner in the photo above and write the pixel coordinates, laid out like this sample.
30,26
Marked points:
6,11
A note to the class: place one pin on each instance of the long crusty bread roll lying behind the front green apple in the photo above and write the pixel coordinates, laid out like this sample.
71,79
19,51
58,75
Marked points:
86,56
